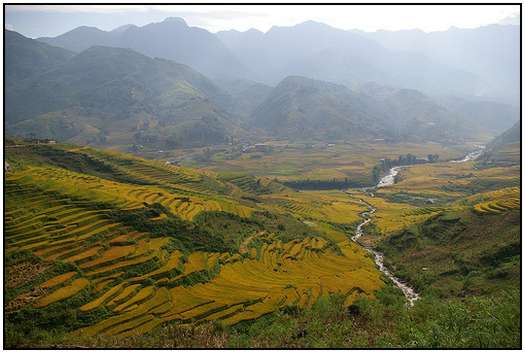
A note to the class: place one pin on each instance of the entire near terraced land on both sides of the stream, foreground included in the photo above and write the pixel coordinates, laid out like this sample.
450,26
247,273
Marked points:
107,249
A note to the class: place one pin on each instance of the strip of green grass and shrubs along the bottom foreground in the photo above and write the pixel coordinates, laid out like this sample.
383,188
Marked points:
385,322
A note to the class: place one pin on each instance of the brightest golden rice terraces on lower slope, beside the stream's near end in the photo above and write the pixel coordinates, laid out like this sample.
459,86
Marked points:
297,272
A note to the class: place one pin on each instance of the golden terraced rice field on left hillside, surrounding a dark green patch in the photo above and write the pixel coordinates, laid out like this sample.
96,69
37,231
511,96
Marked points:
66,219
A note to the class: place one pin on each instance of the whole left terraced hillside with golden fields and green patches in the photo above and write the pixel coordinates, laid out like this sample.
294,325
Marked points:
115,245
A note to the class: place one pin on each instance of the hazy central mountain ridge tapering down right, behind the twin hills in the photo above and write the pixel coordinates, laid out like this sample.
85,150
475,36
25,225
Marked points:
322,52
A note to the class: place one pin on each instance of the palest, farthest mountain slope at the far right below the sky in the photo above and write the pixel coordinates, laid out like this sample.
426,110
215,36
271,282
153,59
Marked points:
490,52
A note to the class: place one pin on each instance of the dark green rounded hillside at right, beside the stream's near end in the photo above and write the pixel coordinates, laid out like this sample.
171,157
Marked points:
458,254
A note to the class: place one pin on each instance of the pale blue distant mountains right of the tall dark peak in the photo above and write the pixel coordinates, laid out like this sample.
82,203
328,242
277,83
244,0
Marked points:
465,62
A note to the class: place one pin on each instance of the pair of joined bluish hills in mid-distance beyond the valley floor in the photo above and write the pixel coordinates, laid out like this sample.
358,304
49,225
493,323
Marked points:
301,107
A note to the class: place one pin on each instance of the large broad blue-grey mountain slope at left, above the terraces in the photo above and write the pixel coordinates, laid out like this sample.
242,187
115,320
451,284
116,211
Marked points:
117,96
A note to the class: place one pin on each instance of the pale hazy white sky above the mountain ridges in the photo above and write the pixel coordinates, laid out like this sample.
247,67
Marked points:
51,20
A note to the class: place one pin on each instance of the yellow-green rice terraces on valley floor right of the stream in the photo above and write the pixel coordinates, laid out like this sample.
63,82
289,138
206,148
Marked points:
457,183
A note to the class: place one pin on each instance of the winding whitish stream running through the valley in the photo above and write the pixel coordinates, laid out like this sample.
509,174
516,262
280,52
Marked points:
410,294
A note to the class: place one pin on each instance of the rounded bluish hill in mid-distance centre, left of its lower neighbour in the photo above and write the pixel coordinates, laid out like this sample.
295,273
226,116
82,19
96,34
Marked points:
301,107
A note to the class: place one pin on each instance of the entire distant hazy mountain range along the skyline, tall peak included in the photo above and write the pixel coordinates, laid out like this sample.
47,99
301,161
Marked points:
465,62
